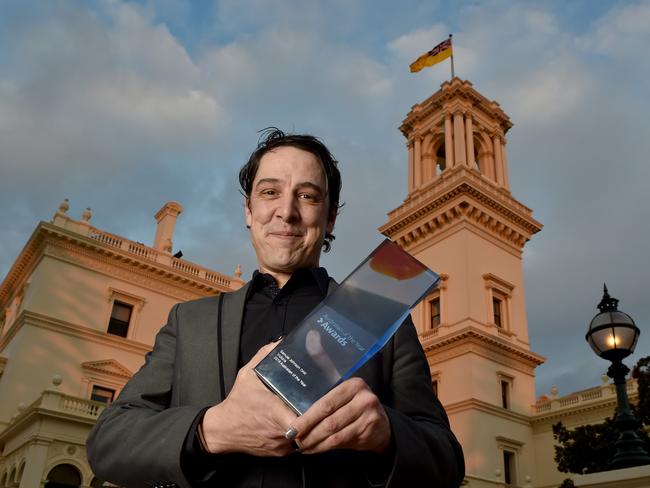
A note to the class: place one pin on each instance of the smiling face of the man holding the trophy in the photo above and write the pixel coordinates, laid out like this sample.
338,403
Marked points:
288,211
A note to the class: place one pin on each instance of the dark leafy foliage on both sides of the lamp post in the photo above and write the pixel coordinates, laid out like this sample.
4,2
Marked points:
590,448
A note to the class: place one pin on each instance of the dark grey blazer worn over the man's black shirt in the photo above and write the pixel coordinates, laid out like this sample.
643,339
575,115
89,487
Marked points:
138,439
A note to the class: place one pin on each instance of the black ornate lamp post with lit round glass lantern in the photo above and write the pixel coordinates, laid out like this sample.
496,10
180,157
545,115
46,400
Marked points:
613,336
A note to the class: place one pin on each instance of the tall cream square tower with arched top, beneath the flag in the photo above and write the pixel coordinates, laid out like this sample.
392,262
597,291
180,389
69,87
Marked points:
460,219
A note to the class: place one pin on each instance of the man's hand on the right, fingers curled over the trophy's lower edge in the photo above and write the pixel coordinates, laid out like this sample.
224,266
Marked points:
349,417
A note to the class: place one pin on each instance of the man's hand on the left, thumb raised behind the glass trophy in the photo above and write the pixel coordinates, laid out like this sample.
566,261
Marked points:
251,419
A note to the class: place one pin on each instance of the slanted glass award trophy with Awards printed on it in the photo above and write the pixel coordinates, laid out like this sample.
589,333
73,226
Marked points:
347,328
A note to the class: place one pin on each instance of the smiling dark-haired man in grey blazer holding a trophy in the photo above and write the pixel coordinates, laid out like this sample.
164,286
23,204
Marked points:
197,415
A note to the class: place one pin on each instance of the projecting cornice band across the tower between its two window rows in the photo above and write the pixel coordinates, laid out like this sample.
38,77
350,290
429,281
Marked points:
471,336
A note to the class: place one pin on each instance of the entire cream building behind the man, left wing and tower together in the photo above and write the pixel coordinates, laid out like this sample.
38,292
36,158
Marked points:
80,308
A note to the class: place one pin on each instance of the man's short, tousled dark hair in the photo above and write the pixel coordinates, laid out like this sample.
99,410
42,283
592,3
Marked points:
272,138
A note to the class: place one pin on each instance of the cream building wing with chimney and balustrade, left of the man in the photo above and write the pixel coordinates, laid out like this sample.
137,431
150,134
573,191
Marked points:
80,309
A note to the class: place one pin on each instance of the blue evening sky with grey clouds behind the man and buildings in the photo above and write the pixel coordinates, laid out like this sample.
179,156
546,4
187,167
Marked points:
122,106
